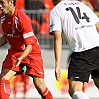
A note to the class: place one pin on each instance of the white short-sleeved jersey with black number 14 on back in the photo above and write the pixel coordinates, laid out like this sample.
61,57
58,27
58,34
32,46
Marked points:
78,24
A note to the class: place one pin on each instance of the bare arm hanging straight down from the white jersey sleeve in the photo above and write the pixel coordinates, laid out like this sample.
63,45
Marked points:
57,52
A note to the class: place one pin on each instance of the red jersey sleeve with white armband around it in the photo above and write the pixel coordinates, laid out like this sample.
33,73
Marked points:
27,31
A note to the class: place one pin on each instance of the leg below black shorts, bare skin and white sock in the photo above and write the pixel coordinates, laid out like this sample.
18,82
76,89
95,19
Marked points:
75,90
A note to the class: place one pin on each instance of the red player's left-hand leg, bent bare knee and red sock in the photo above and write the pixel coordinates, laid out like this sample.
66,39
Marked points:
5,77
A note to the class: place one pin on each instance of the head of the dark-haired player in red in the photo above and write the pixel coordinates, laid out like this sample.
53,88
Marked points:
7,5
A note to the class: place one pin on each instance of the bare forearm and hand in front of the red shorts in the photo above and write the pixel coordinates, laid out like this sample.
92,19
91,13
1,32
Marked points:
25,53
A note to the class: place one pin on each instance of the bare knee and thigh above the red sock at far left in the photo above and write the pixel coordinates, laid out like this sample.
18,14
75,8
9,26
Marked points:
7,74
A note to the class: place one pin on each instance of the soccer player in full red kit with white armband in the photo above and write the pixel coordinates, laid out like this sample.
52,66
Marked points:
24,50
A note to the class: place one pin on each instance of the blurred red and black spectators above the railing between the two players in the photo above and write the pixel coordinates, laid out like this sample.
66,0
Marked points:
34,4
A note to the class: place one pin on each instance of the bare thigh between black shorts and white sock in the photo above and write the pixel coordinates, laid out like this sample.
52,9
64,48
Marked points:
75,86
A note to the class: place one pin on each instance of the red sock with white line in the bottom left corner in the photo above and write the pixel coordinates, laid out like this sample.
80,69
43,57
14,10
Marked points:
5,89
